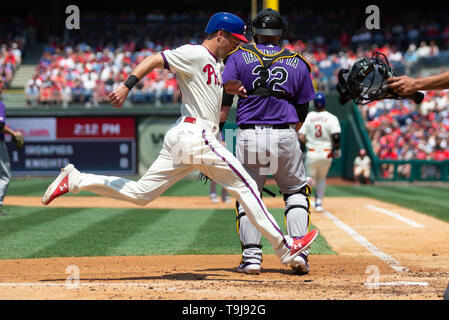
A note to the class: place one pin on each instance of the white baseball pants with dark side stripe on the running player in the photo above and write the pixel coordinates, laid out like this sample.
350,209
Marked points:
191,144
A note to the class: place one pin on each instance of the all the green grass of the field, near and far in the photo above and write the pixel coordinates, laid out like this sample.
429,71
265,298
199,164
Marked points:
28,232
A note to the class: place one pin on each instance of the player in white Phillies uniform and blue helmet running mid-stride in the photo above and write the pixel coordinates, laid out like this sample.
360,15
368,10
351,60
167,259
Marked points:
190,143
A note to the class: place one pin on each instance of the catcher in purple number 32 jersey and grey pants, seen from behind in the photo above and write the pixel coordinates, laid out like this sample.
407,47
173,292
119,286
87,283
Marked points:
274,94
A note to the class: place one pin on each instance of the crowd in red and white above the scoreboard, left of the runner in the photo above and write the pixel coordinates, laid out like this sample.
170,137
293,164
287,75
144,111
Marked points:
86,76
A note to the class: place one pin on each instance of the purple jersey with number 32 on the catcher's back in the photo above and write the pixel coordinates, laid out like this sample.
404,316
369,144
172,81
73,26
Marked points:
290,75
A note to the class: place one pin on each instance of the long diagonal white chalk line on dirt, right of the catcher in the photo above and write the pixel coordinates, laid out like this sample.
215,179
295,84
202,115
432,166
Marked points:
392,262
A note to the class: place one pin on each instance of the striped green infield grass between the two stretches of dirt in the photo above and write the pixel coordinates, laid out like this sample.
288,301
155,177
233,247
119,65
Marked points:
28,232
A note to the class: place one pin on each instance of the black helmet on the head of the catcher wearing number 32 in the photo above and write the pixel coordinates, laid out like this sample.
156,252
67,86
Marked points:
268,22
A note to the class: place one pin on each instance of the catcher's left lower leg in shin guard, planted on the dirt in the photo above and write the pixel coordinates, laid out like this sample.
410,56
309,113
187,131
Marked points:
250,240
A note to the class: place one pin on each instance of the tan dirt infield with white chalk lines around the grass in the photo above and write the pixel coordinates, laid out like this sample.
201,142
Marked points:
384,252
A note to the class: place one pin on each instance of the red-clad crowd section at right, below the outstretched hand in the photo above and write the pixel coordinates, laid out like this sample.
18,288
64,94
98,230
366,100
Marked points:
402,130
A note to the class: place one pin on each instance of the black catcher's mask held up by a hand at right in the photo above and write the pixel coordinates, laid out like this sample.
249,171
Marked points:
365,81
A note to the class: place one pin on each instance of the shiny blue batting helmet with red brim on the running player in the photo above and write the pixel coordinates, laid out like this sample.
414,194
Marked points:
228,22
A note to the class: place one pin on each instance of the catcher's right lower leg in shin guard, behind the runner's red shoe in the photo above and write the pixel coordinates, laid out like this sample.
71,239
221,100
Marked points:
297,221
